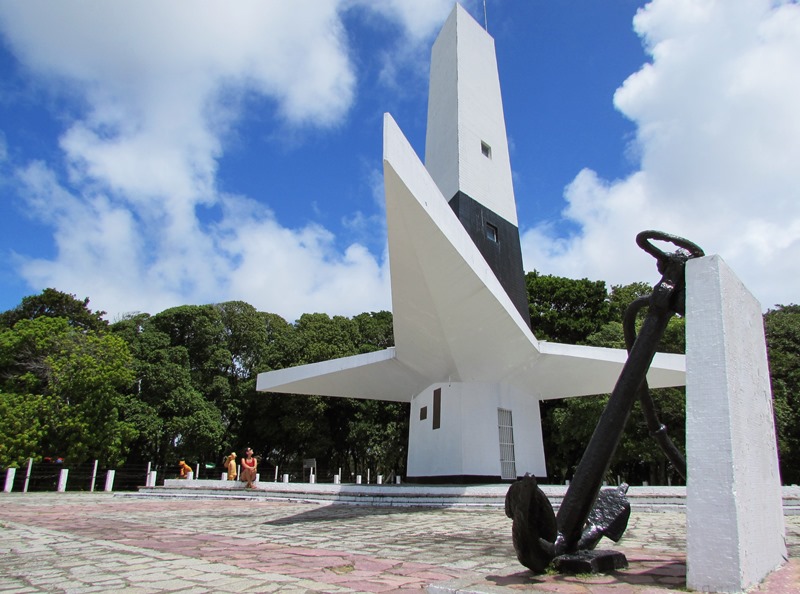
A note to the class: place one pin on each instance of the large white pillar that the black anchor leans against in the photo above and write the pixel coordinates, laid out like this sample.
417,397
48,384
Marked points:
734,514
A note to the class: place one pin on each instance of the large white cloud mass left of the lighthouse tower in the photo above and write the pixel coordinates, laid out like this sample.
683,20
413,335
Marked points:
160,86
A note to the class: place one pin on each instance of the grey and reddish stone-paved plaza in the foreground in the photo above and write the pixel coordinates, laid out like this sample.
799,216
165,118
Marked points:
82,542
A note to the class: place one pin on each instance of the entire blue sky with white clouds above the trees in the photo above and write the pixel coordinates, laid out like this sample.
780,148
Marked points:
154,155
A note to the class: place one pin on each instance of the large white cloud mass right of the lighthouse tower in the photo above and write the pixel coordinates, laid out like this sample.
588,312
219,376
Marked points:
719,140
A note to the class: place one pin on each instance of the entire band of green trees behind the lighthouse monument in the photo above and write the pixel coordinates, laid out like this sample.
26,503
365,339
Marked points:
180,384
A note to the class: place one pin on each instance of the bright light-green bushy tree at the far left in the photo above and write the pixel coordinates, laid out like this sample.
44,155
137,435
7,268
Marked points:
79,377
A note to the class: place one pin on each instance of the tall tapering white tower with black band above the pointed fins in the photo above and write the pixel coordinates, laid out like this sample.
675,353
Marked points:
466,147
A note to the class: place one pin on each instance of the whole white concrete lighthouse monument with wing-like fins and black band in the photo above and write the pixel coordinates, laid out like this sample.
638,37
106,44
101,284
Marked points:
464,357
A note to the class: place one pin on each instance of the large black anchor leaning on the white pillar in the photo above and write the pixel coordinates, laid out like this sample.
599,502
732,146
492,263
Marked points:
587,514
